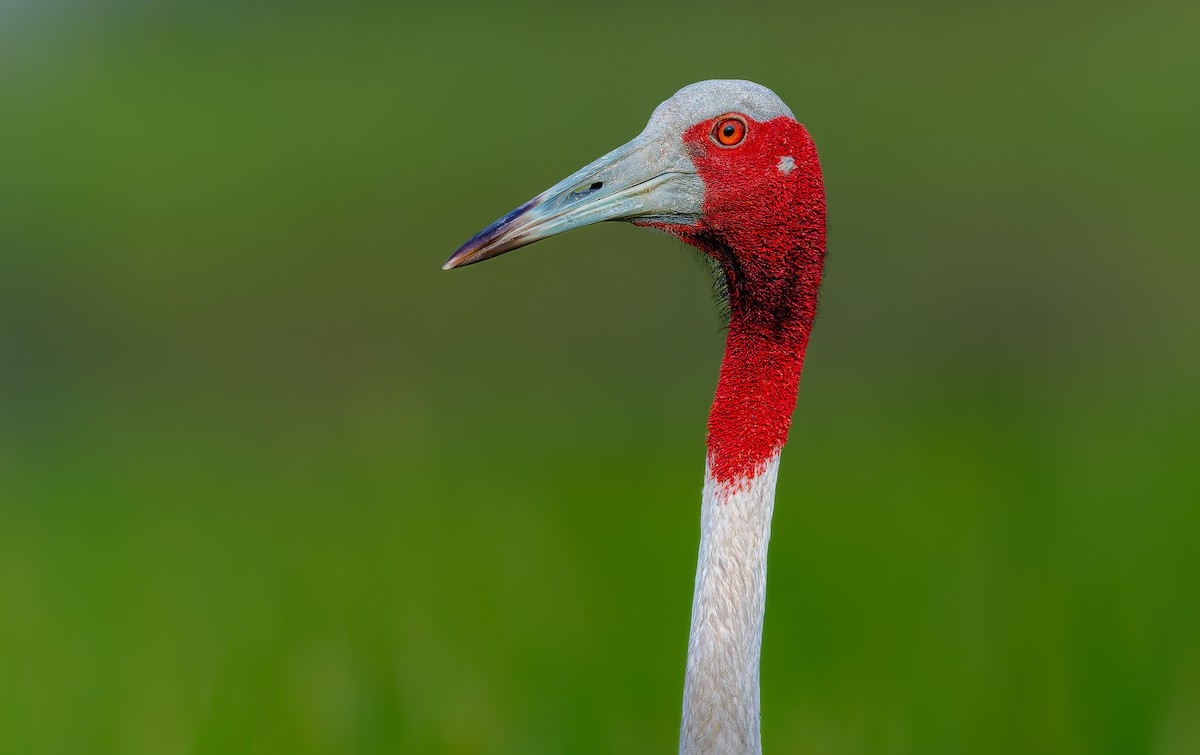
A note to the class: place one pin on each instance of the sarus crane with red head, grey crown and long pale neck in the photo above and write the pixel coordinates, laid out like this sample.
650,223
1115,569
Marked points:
724,166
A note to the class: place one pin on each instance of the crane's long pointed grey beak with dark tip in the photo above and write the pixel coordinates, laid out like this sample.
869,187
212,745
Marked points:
643,181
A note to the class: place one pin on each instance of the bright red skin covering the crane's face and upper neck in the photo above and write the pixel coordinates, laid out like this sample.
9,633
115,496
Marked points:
767,230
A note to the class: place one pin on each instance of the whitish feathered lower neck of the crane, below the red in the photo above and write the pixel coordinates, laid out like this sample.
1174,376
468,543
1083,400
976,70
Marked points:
721,706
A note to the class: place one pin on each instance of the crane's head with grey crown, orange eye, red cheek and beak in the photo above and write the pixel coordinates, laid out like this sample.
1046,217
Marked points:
722,165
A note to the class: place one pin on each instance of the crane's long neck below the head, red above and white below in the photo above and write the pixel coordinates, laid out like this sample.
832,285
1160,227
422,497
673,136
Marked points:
773,274
